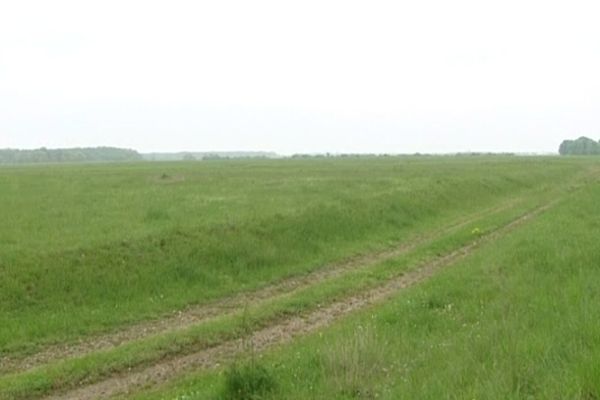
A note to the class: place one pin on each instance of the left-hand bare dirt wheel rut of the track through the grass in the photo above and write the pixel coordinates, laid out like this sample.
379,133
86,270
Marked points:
186,318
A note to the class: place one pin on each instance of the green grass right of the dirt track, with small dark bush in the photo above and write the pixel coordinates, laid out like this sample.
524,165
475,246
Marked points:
517,319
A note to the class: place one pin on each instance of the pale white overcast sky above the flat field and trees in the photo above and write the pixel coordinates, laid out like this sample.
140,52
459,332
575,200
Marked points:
302,76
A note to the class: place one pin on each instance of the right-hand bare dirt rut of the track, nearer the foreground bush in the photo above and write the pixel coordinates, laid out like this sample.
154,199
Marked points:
282,331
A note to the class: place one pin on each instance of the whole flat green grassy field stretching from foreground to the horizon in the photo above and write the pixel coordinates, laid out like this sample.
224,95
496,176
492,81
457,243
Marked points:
108,270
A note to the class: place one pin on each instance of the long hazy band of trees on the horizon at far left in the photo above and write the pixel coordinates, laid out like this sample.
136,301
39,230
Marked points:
86,154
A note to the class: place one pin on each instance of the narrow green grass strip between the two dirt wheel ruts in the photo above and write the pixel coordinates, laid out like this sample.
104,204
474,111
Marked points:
69,373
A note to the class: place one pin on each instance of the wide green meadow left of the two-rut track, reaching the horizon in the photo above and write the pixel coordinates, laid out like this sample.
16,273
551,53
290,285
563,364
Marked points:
85,249
